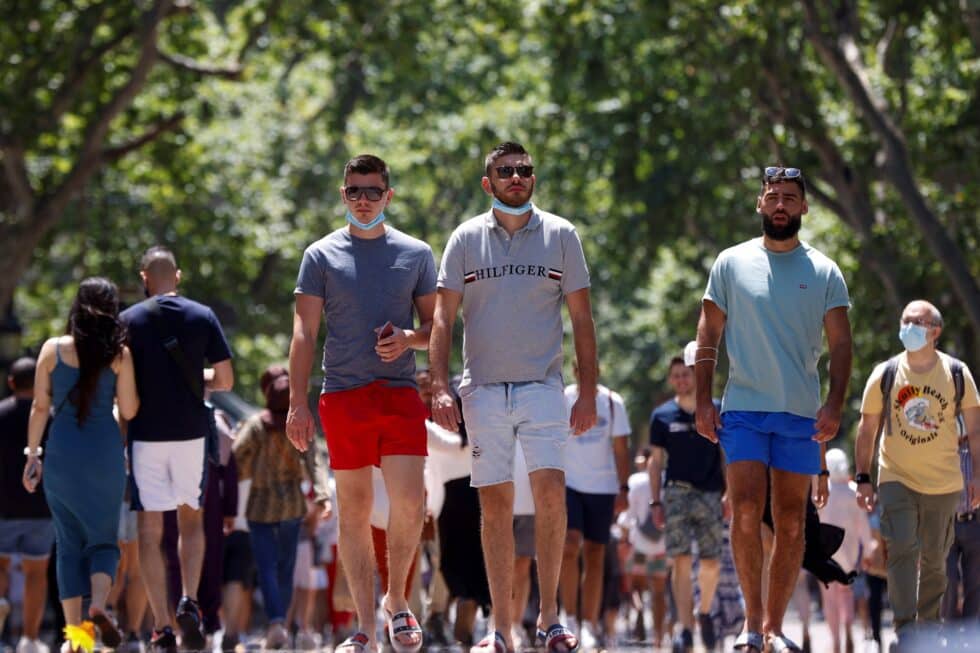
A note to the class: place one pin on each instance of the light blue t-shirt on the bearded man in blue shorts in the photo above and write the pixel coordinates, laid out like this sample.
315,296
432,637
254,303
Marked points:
775,304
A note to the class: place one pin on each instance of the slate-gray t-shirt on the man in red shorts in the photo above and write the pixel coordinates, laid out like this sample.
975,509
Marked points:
364,283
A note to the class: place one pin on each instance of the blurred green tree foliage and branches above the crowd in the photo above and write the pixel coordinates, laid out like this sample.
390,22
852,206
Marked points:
221,129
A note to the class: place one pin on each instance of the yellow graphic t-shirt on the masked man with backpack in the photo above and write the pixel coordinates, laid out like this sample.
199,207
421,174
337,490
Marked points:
921,452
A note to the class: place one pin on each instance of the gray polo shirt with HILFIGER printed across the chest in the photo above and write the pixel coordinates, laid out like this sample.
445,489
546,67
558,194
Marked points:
513,288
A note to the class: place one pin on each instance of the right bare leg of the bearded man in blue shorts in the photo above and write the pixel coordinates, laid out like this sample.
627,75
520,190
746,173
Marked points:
789,492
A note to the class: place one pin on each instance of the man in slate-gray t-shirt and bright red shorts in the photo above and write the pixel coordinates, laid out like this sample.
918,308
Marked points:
367,280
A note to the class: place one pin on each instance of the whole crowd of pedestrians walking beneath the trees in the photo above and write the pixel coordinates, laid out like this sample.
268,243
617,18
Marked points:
430,500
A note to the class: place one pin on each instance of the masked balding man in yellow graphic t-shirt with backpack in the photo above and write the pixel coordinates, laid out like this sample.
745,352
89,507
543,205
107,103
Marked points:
910,410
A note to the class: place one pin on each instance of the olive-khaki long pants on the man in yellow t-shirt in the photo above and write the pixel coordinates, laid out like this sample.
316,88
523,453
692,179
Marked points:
918,532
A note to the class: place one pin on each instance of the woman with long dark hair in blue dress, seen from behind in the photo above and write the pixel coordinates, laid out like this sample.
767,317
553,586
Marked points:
81,375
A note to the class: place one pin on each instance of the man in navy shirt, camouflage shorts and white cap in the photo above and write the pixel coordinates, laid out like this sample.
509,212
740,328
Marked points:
689,508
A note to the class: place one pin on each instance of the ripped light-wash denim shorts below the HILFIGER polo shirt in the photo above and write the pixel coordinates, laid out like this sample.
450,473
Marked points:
498,415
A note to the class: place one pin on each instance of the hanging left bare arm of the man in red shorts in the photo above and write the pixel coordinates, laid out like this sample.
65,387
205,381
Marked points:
306,325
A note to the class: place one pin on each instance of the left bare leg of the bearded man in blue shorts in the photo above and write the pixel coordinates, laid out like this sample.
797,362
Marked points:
747,492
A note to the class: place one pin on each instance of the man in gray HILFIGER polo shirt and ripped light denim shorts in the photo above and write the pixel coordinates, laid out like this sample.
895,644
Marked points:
511,269
